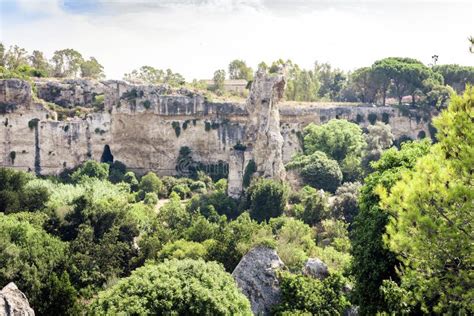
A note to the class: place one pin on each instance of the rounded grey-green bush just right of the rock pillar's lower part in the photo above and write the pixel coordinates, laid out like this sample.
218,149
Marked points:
318,170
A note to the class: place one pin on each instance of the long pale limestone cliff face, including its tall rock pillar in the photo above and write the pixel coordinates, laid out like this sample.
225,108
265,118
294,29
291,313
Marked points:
145,126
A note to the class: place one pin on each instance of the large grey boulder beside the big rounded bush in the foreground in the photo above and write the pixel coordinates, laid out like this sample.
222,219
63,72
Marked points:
257,279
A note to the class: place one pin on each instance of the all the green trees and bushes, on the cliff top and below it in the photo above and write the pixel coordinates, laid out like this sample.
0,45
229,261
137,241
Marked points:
394,224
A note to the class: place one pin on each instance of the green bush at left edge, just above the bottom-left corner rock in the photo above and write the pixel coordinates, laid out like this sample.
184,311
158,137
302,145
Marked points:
29,256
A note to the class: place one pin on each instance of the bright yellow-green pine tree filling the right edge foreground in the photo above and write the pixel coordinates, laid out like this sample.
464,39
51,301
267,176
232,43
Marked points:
431,230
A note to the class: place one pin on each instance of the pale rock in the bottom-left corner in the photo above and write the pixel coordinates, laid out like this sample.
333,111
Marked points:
13,302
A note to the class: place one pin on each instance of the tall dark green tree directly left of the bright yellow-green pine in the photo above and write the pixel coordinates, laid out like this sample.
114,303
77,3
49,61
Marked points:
372,261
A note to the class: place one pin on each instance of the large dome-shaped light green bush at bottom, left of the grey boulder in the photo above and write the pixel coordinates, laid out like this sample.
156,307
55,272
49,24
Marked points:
185,287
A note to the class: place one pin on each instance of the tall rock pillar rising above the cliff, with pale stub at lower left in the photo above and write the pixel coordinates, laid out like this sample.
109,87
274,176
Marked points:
263,137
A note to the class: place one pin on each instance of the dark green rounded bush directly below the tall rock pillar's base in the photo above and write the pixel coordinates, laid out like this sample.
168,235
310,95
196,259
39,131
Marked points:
266,199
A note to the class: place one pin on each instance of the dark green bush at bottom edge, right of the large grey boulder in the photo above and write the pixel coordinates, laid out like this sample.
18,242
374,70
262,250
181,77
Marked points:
301,294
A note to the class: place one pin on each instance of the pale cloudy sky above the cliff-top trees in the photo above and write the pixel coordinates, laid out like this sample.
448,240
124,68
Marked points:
197,37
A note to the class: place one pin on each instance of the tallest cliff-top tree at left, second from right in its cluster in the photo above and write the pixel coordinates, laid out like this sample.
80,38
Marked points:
66,63
